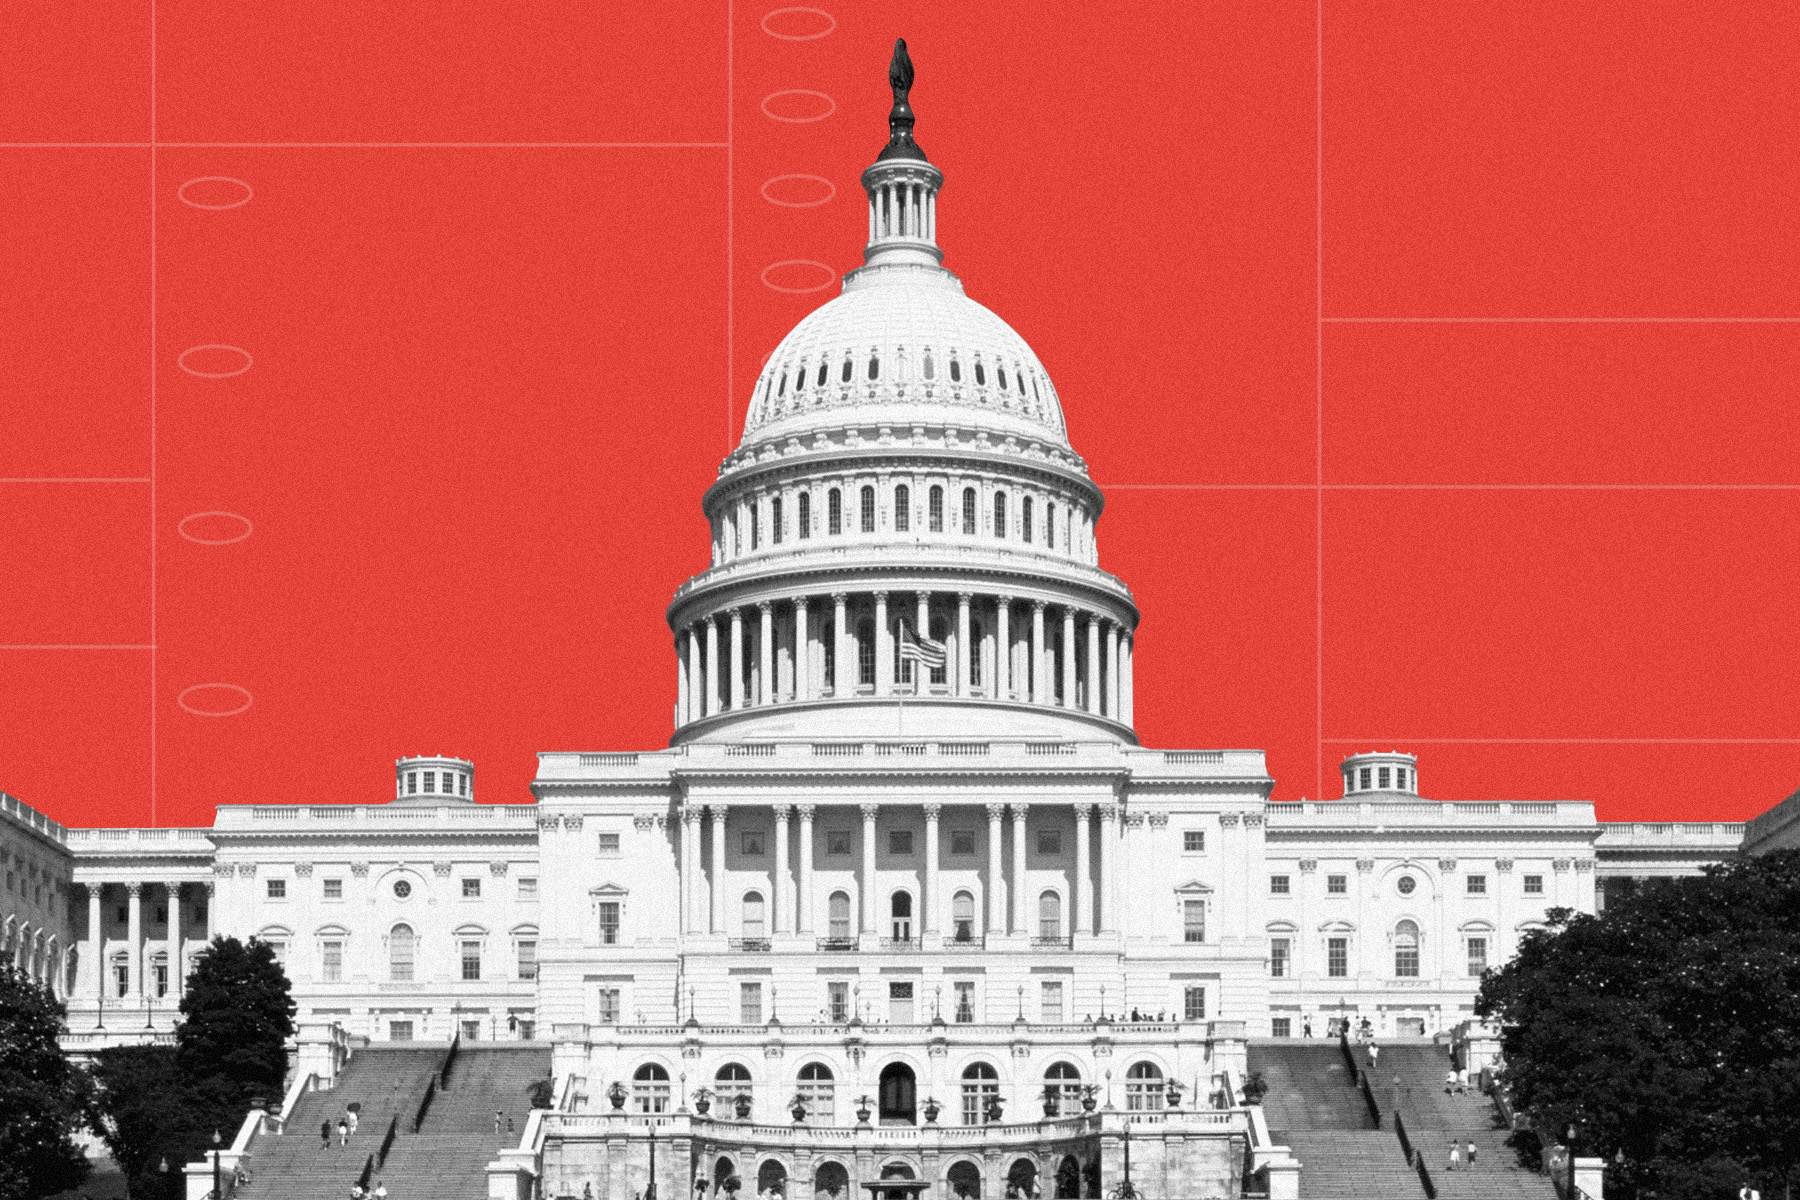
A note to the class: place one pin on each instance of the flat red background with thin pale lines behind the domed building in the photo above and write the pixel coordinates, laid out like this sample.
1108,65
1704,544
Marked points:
1437,359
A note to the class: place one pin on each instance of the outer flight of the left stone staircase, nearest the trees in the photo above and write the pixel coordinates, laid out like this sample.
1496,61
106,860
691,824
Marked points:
294,1167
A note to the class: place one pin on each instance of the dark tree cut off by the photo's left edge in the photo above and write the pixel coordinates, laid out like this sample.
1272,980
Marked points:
42,1097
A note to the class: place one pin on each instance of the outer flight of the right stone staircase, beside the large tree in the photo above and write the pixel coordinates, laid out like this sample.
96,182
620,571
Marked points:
1435,1118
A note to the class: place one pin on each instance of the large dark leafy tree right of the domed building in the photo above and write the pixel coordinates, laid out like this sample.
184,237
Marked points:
1666,1028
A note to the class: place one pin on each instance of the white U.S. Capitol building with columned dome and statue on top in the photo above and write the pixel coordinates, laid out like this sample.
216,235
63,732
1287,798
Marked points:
903,845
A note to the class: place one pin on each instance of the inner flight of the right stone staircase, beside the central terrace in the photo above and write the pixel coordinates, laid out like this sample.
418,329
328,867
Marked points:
1318,1113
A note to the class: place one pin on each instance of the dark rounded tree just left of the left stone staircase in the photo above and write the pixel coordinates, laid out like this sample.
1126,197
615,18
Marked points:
237,1019
